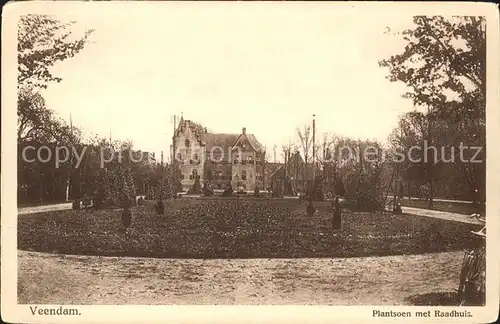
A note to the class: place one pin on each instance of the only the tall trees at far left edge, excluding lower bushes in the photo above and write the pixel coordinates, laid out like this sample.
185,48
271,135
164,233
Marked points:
42,42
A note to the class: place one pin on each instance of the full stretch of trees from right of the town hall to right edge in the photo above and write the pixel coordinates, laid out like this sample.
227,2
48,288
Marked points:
443,64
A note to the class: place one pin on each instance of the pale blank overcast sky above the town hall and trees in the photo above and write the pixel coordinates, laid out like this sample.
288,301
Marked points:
264,68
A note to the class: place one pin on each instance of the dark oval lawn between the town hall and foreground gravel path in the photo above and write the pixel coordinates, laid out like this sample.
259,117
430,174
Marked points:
238,228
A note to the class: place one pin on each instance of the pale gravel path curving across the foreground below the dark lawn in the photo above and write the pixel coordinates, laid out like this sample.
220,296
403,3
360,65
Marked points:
58,279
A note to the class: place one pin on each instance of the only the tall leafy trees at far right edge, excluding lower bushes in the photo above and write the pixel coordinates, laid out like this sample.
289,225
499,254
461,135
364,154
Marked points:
444,66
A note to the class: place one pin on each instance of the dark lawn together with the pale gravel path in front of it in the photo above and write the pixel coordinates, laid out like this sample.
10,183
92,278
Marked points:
376,259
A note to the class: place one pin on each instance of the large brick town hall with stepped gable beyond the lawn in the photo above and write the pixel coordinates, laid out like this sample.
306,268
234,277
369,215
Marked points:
219,159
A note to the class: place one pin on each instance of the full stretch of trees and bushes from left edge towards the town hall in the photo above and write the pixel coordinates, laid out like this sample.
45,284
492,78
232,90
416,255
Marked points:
42,42
